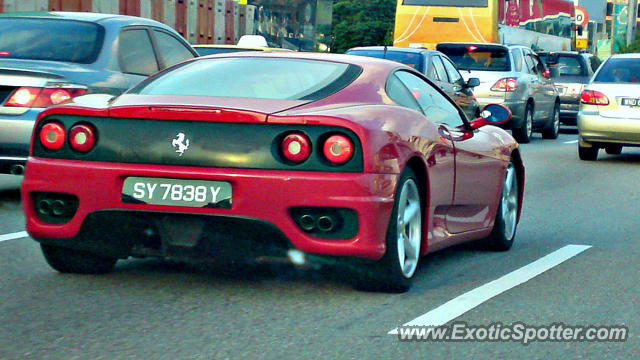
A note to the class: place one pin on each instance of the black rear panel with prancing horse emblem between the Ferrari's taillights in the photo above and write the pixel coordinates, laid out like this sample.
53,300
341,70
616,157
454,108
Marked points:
211,144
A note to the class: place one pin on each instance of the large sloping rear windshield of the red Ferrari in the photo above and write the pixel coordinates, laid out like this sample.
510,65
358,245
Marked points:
252,77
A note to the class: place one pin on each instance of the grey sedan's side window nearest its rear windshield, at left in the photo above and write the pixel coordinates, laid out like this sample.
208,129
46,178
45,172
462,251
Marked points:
136,54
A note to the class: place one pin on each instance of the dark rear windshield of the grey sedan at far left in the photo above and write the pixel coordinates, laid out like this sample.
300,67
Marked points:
50,39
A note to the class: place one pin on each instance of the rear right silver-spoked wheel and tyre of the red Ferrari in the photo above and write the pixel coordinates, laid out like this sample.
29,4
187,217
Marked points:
394,272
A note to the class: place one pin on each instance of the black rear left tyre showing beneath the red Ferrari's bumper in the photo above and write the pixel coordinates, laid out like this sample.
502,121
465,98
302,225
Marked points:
76,261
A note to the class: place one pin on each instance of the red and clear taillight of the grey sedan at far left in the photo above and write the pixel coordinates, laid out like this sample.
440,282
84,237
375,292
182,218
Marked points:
43,97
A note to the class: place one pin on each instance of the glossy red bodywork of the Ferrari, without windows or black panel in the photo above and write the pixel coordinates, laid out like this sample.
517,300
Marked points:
462,178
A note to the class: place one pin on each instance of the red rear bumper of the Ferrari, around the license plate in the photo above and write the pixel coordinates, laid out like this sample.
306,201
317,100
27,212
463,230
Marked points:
265,212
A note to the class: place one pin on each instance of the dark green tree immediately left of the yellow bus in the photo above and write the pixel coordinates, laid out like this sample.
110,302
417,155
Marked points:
362,23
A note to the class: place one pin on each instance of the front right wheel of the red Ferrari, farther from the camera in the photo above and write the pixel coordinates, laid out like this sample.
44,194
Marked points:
506,222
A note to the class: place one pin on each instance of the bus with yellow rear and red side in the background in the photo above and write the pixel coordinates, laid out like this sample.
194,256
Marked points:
543,24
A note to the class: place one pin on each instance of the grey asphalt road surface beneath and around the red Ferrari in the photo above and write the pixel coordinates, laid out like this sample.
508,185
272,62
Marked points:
154,310
